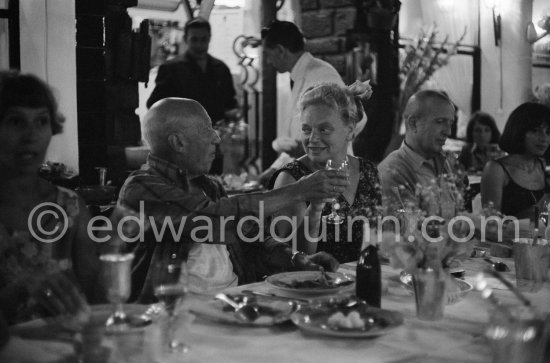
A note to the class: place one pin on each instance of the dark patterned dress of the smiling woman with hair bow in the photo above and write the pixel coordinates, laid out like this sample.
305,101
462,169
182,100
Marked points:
367,199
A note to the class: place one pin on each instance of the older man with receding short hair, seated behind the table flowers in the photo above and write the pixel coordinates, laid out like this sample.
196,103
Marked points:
420,160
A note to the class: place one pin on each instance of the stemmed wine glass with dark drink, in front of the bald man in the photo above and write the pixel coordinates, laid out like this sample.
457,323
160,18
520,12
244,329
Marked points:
170,287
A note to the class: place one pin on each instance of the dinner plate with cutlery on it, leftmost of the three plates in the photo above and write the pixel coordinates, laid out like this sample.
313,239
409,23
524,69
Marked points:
271,311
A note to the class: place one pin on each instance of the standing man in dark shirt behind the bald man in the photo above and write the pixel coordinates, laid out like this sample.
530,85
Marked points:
200,77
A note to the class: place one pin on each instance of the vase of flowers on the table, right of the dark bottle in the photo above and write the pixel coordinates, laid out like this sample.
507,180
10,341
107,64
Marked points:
428,243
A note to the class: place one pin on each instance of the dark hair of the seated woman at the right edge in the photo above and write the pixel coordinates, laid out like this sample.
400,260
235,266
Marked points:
526,117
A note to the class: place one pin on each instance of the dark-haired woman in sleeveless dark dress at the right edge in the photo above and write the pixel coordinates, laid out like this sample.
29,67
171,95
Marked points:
517,182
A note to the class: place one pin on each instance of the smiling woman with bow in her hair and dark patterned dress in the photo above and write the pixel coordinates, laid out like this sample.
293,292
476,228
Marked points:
328,114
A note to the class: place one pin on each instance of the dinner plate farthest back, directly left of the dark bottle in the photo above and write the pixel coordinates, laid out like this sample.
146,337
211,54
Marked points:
310,282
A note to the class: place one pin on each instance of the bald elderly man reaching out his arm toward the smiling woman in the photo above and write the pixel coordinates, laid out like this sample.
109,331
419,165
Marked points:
173,186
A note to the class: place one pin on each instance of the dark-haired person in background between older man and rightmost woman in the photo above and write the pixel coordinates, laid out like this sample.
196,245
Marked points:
482,136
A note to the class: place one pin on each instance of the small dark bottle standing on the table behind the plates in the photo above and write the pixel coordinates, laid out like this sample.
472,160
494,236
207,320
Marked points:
368,284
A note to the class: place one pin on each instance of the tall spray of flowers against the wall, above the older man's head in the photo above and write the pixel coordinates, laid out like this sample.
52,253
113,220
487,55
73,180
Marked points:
419,61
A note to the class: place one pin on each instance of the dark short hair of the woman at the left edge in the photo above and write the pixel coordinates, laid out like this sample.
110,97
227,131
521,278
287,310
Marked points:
26,90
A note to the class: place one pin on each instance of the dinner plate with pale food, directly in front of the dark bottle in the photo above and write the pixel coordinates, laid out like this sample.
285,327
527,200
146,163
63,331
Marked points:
315,319
